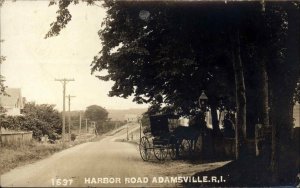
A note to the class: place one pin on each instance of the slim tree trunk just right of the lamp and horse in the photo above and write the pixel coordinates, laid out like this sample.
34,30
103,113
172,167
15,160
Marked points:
240,128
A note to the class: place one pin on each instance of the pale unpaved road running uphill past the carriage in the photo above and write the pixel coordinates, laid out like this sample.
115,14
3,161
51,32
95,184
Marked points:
104,163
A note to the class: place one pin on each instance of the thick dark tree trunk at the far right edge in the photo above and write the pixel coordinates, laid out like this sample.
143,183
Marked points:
284,82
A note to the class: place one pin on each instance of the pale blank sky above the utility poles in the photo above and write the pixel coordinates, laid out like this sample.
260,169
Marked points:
33,63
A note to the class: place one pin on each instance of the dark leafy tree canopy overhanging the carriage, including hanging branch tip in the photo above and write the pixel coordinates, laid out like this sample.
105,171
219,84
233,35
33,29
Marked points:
140,57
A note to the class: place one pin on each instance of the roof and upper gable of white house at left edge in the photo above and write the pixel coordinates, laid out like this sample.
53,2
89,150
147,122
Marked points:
13,100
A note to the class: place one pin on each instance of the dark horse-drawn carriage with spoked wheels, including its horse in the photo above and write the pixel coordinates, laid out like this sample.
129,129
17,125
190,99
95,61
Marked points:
166,137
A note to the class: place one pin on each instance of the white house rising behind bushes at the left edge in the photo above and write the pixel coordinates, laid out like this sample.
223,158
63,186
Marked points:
13,103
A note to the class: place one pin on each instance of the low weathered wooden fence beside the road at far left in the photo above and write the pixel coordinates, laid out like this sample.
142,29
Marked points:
15,138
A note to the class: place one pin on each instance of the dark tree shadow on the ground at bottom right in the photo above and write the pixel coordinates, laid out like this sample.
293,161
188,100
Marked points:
250,171
